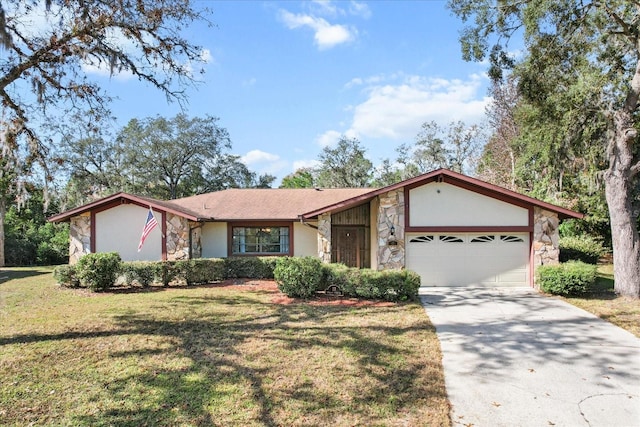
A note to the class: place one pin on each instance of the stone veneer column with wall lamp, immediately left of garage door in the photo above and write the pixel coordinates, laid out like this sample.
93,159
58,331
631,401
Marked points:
391,212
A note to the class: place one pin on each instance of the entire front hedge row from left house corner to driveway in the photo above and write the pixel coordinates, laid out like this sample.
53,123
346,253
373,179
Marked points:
296,276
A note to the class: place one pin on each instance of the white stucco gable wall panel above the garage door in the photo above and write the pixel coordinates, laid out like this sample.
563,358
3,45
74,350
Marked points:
442,204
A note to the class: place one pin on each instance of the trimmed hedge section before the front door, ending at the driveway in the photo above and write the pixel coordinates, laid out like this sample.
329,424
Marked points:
303,277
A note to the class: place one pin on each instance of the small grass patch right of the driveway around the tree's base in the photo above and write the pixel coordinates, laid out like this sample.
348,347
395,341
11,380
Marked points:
604,303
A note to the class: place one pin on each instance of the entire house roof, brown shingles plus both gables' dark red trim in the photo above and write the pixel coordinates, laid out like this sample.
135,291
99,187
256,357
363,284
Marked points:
265,204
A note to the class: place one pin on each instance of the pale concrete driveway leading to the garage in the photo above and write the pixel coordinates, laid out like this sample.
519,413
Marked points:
513,357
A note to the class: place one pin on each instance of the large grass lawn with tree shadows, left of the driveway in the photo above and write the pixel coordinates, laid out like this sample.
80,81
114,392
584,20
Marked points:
211,355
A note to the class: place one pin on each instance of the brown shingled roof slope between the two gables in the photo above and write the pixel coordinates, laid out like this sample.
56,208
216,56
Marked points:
252,204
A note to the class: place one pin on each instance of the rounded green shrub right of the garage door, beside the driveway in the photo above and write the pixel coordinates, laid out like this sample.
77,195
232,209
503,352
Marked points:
569,279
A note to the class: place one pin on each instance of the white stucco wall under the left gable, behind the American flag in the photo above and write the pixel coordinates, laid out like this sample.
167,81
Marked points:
118,230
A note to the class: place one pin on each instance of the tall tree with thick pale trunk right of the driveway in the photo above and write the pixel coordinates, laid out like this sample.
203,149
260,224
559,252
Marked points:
582,69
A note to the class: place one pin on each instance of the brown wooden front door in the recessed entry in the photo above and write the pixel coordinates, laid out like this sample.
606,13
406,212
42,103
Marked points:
349,246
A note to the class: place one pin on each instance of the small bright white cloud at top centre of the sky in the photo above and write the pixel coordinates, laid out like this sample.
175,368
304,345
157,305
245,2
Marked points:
326,35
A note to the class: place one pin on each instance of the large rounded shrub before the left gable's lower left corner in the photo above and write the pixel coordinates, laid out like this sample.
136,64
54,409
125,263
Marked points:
98,271
